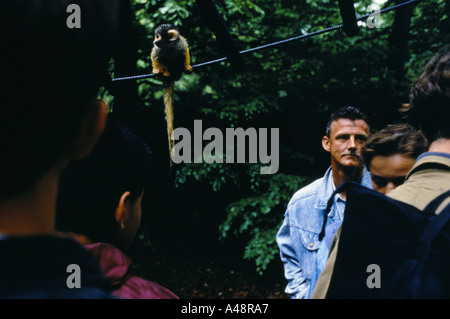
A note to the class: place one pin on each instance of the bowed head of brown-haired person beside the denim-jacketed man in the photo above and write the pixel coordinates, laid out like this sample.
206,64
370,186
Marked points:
390,154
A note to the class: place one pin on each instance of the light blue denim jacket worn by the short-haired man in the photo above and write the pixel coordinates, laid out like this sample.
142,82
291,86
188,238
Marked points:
298,236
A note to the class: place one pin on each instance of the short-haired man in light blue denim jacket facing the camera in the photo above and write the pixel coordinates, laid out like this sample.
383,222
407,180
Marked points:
302,253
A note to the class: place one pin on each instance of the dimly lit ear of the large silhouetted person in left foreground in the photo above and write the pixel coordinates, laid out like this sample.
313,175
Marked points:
91,129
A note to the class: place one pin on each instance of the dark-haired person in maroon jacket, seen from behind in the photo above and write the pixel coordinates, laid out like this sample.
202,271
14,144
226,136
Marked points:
99,204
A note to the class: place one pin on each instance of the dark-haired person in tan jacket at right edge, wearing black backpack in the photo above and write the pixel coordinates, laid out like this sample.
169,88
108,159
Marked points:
429,112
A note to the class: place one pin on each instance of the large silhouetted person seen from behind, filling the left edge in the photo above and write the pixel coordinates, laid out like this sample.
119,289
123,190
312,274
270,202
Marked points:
49,116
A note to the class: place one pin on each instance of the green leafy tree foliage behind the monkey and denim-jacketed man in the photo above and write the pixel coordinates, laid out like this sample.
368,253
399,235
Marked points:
291,87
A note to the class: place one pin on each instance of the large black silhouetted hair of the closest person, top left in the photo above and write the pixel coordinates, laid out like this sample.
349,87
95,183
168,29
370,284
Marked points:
51,74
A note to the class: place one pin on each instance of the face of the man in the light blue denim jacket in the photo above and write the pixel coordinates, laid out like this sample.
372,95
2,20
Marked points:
345,142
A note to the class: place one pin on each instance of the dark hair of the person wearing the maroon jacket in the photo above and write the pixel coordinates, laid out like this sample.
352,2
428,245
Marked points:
90,189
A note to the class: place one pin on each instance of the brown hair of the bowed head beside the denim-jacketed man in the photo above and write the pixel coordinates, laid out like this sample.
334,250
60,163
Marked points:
394,139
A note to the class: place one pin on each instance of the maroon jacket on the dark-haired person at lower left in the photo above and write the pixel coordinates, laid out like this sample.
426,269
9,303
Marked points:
115,265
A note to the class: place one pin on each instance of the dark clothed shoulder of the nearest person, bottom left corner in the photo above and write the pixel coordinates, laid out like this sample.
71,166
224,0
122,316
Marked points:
55,262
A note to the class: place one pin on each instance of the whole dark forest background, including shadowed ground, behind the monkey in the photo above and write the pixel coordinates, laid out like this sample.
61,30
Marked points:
208,230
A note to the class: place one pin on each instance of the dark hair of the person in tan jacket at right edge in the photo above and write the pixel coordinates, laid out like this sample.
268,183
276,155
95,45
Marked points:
429,107
